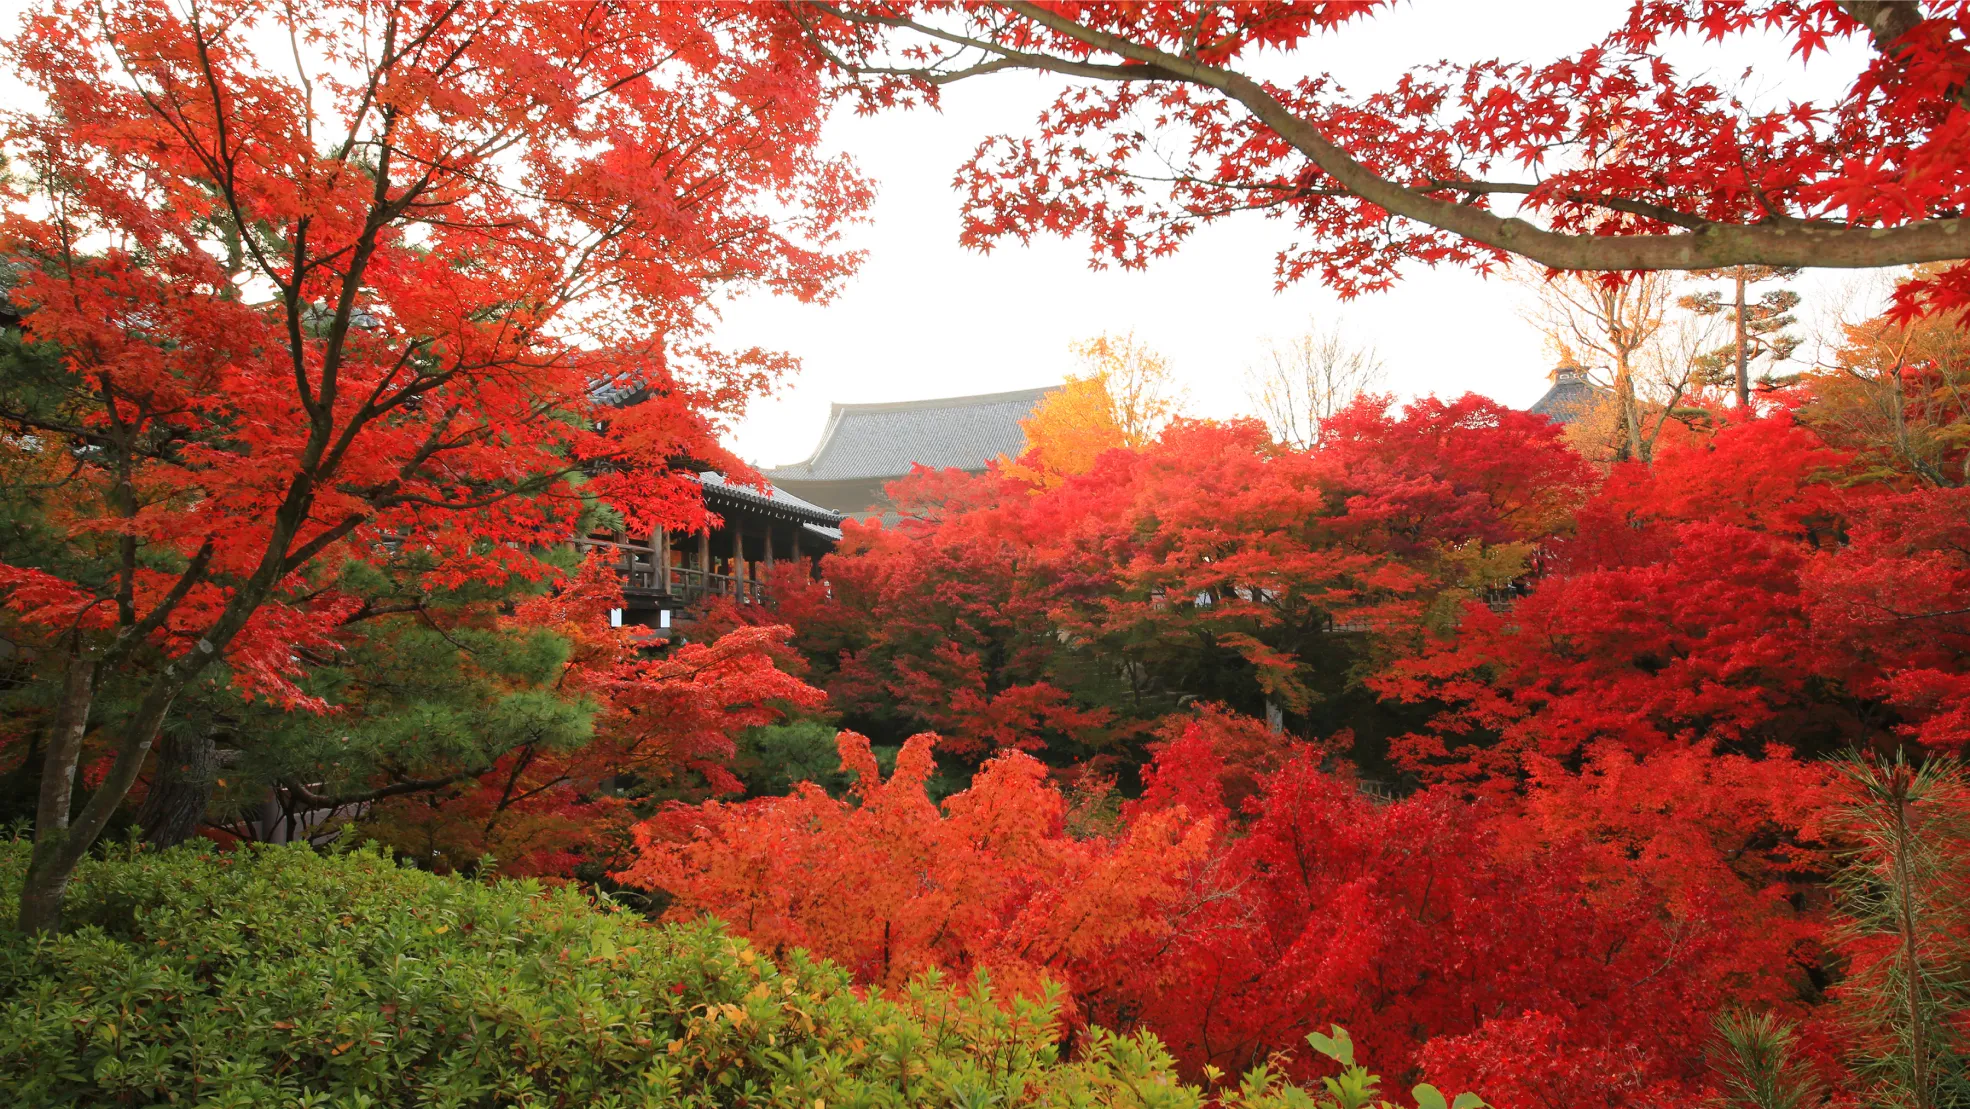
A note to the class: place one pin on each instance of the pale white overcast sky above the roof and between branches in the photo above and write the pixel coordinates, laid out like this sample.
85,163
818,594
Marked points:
927,318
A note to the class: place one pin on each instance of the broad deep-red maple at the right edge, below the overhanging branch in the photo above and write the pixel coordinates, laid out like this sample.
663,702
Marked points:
1739,592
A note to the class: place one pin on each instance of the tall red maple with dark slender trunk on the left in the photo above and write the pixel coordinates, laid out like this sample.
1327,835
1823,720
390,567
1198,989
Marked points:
332,281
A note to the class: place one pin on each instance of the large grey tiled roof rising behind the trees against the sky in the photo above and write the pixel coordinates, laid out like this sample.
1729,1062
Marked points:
886,440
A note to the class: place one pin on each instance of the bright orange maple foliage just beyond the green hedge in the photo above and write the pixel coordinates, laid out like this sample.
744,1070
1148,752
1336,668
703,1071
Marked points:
891,883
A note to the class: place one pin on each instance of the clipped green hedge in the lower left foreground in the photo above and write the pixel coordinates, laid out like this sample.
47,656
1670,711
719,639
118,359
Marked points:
287,978
